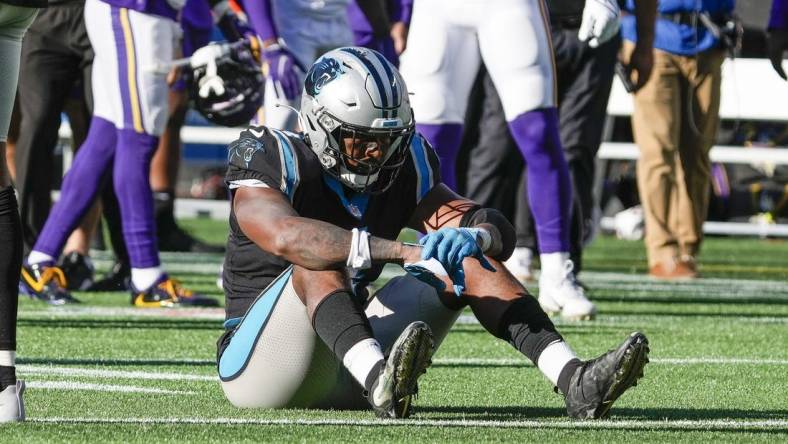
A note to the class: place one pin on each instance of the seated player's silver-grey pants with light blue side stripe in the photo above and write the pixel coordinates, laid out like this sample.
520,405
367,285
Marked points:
274,358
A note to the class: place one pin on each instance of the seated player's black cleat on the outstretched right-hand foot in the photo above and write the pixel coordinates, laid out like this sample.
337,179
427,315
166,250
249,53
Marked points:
599,382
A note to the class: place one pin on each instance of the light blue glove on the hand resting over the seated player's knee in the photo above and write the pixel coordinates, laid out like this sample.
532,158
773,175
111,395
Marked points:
450,246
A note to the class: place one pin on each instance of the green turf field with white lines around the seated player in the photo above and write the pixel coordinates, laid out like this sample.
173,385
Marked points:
105,372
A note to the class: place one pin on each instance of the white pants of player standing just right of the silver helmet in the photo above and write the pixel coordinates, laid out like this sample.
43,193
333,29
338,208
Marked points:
448,39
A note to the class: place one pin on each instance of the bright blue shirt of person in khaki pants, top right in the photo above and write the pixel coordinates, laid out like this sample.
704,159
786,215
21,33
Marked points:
676,38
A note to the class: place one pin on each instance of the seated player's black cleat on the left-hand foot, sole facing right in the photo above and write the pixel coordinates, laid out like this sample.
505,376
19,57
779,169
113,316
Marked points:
391,394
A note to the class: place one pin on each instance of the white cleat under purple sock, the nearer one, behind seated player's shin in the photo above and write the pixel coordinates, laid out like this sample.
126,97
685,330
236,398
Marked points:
563,294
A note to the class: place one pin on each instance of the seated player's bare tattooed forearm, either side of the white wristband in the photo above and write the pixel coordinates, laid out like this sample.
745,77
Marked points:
318,245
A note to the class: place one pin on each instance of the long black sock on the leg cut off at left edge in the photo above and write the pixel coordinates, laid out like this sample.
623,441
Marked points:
10,266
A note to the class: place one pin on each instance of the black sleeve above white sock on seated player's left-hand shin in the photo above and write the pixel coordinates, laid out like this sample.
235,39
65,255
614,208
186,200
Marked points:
340,322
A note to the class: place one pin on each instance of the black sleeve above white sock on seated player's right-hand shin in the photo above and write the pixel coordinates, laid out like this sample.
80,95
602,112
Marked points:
527,327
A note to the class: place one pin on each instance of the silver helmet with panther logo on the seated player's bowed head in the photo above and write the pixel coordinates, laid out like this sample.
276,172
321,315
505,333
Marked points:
355,92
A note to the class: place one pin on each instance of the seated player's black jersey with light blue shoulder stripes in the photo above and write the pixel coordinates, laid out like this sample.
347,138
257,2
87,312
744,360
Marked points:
283,161
